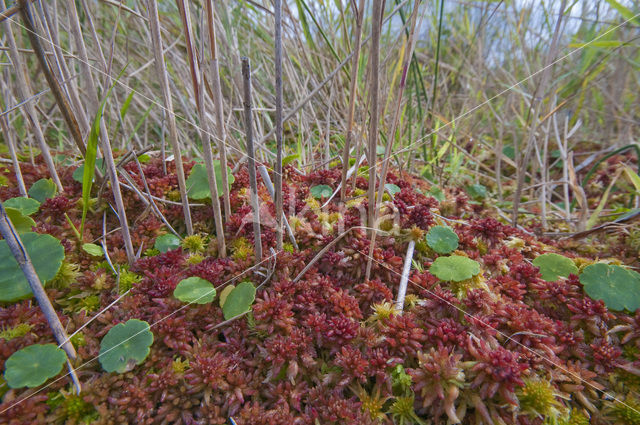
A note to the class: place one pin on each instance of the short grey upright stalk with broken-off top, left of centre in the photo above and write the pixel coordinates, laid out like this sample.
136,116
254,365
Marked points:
246,76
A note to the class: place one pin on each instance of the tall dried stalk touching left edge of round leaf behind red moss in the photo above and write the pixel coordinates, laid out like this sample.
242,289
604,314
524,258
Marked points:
163,78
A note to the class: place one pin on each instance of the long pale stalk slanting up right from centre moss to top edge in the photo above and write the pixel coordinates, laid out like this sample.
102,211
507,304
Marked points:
411,42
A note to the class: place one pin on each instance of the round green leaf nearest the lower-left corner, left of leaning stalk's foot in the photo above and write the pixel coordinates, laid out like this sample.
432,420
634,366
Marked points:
33,365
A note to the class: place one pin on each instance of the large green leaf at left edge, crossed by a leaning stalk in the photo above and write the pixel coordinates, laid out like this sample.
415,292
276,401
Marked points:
46,253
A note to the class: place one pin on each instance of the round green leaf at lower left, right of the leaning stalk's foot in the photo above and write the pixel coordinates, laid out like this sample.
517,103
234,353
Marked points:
125,346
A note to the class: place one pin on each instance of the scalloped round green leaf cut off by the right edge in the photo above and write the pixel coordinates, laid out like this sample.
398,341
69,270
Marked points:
618,287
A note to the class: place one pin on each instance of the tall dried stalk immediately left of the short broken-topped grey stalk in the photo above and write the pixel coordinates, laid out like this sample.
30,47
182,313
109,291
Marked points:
219,110
